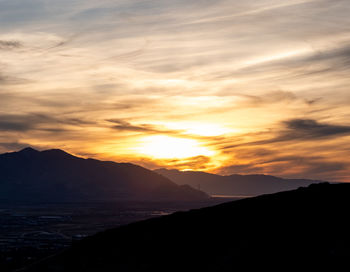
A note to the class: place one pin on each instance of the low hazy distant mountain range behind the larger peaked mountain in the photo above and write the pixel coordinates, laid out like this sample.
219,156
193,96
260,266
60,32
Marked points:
234,185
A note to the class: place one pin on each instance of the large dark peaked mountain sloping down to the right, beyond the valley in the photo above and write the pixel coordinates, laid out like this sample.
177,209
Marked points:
56,176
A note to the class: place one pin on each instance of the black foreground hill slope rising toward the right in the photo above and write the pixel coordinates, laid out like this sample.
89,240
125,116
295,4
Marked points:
309,224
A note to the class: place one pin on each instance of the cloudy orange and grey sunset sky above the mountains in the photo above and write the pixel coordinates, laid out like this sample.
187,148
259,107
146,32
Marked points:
228,87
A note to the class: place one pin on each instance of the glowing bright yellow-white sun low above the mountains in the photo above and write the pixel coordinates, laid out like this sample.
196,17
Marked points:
165,147
